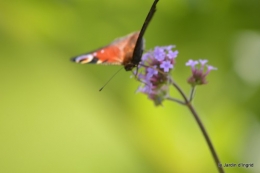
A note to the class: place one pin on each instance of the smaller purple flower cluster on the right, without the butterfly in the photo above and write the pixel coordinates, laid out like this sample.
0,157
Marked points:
198,71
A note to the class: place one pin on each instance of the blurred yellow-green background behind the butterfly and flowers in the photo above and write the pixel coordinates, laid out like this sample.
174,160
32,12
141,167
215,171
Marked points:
53,118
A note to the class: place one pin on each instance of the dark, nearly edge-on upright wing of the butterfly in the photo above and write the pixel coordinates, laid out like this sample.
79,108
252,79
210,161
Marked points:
138,50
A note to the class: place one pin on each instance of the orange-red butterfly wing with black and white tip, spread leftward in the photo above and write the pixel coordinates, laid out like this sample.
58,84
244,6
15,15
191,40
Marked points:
119,52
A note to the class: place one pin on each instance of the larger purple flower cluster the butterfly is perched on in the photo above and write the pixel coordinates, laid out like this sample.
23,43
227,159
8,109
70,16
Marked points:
155,67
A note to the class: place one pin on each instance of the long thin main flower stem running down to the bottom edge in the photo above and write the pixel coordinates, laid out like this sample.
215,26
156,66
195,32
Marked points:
201,126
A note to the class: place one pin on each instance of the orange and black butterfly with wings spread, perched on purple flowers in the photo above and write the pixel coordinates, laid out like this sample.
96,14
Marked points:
126,51
